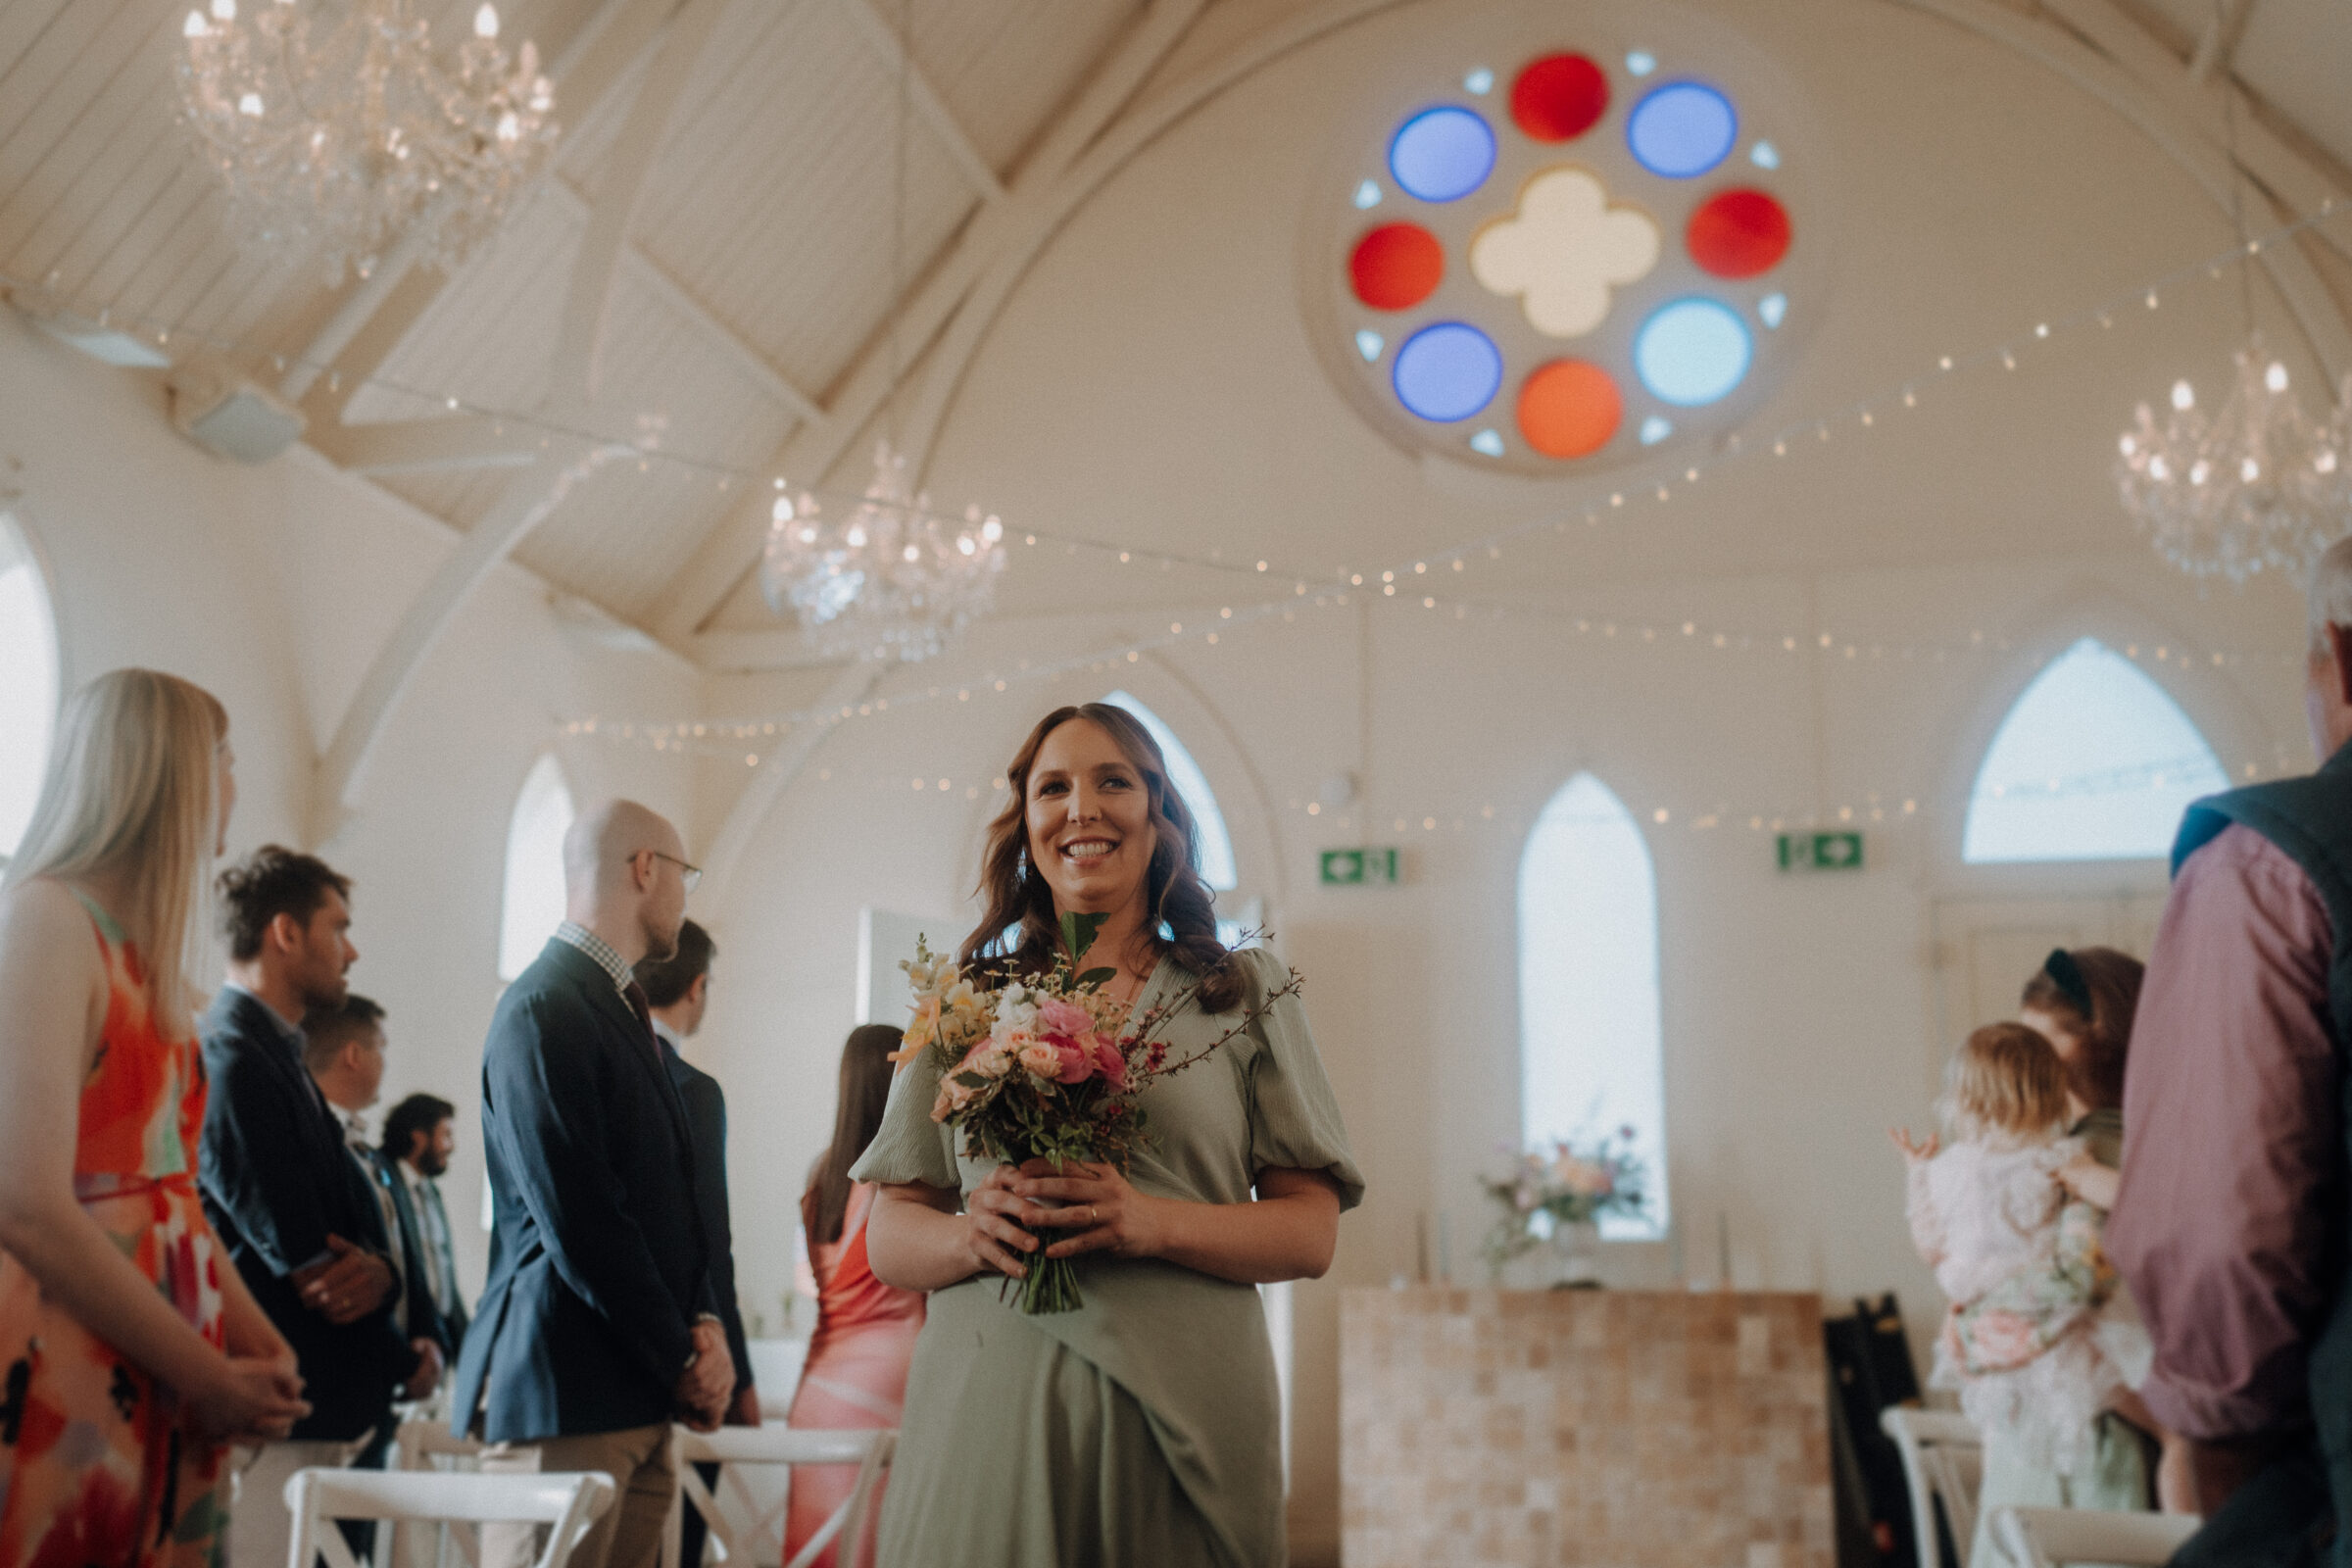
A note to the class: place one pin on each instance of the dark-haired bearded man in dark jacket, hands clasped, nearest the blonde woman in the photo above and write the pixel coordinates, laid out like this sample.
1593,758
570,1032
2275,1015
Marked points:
286,1198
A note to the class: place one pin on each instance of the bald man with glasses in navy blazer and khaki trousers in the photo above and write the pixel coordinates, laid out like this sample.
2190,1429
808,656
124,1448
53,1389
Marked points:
599,1325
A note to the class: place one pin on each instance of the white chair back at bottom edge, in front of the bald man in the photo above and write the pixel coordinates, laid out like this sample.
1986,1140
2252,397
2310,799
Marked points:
319,1499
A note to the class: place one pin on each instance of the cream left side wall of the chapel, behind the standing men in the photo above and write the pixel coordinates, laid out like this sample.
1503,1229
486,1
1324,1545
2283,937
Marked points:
274,587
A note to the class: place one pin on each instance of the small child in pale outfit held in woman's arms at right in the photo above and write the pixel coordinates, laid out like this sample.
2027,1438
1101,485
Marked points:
2029,1339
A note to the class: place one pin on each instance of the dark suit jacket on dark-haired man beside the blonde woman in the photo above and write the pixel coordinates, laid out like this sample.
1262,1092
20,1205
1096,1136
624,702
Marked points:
279,1181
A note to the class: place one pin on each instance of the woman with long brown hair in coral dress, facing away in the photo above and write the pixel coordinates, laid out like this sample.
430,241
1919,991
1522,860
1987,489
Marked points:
864,1329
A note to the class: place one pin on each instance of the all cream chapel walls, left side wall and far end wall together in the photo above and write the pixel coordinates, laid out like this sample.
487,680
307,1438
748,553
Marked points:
1151,382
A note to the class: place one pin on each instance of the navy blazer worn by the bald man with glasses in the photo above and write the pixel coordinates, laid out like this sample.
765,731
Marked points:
599,1264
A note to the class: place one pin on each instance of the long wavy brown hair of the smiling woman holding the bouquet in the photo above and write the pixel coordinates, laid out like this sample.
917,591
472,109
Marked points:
1022,934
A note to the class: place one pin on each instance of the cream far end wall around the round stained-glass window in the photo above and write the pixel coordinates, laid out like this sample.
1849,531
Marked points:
1151,382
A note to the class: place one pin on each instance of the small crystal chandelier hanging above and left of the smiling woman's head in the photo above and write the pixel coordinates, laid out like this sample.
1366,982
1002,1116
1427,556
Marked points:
890,579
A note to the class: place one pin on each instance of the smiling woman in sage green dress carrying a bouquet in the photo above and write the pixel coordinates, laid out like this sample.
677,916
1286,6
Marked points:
1142,1428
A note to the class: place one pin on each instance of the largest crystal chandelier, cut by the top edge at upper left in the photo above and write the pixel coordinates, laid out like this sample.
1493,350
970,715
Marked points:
335,128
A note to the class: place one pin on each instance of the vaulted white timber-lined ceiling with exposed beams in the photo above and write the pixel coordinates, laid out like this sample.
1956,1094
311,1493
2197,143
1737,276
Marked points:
733,260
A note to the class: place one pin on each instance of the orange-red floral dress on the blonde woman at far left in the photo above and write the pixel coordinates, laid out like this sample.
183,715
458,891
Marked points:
98,1468
